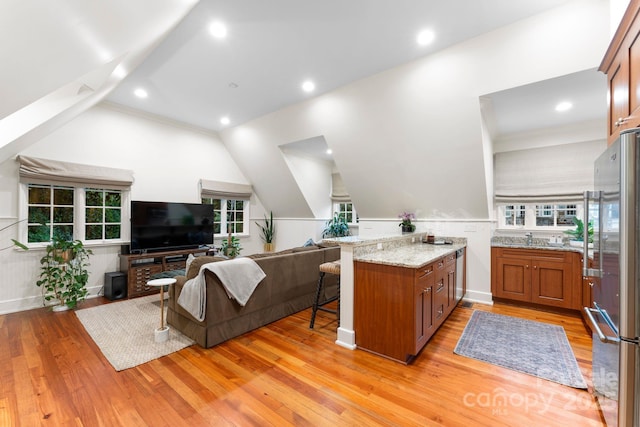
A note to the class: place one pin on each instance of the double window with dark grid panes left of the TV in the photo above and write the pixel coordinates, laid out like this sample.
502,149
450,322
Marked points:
68,212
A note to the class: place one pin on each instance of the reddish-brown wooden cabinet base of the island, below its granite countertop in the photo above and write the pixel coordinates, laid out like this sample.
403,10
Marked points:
397,309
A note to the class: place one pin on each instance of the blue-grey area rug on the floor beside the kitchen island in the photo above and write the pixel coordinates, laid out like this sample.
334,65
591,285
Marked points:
534,348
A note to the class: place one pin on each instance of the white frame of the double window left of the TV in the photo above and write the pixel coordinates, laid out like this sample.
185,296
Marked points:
79,213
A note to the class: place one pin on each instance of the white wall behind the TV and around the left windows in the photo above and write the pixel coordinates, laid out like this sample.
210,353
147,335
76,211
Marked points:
168,159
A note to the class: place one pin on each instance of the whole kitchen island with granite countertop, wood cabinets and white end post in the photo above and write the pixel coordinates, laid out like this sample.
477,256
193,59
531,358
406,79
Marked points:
396,291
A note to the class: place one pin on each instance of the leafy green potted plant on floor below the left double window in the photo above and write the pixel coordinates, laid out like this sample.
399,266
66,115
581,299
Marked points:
64,273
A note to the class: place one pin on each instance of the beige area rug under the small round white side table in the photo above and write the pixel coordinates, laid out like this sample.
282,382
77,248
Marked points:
124,331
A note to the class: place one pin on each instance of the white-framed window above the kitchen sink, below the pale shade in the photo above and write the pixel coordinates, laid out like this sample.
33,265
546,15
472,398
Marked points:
532,216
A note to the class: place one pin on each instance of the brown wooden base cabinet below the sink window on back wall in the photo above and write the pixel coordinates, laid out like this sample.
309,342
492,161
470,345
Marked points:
543,277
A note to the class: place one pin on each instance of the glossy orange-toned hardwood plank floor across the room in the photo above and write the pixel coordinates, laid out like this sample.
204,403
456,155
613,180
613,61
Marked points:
52,373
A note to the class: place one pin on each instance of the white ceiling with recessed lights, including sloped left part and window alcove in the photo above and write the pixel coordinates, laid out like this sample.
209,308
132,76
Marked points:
63,58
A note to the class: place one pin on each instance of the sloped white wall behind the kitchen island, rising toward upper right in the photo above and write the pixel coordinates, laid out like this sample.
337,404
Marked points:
410,138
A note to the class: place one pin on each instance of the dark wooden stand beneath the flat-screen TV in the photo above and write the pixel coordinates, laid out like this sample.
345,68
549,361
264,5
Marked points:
140,268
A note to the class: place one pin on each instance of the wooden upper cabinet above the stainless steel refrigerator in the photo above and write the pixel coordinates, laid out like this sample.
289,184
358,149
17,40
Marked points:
621,64
